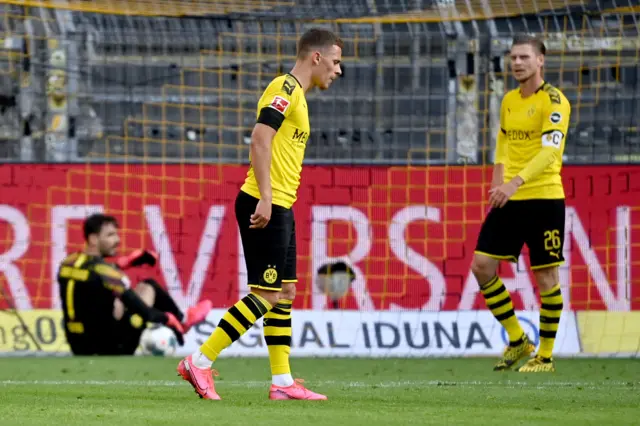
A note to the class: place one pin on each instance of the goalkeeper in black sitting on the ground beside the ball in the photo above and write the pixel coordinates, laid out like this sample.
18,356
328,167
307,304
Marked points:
103,315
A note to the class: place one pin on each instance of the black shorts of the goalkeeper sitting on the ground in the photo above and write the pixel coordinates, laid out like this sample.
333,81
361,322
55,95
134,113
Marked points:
111,337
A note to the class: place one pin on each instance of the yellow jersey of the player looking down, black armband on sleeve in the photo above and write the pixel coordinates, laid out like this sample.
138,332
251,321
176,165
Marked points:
283,107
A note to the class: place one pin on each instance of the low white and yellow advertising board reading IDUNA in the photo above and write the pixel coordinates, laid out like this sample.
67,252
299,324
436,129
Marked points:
374,334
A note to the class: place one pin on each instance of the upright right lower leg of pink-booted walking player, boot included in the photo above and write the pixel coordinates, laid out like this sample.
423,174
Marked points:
277,334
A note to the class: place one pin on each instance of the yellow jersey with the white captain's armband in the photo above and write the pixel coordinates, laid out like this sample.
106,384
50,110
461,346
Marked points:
530,126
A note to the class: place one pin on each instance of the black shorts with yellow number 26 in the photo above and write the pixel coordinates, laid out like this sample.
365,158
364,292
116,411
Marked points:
537,223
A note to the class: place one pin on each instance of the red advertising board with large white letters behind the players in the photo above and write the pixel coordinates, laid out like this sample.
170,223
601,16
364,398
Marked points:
409,233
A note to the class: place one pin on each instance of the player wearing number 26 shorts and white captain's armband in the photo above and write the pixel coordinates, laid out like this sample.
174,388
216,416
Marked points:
527,204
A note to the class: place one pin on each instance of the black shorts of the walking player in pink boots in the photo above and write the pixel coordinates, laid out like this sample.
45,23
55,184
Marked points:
270,252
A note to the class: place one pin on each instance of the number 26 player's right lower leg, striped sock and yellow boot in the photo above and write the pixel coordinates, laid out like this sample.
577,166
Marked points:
550,312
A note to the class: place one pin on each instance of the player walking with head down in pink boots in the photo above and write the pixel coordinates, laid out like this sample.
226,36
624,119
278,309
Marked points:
265,219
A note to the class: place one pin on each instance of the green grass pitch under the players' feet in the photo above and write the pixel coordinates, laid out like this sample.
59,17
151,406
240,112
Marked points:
147,391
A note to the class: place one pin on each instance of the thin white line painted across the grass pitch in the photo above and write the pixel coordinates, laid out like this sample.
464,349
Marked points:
390,384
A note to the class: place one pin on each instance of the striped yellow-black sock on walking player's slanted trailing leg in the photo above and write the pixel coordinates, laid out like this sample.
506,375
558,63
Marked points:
235,322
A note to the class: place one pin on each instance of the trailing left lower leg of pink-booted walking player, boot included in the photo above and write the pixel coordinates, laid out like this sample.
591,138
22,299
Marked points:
196,368
